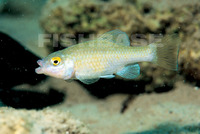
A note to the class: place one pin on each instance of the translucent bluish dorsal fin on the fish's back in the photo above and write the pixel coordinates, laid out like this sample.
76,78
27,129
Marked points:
116,36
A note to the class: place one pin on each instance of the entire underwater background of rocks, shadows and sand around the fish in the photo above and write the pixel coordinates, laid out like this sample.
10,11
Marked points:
158,102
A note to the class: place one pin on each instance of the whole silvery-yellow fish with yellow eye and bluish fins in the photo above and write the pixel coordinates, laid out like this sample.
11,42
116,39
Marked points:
108,56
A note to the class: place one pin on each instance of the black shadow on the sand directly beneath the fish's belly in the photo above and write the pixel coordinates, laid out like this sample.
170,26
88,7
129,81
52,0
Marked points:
106,87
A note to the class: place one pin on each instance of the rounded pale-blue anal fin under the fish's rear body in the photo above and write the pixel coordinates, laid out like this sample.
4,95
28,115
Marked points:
130,72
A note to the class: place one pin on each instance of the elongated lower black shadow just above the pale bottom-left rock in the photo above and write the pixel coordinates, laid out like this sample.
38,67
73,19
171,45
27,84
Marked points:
29,99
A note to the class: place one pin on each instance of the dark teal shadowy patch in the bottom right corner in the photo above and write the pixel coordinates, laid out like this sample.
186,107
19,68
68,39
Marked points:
170,128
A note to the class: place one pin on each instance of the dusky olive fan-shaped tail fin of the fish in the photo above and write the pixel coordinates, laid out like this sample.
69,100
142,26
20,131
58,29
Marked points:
167,52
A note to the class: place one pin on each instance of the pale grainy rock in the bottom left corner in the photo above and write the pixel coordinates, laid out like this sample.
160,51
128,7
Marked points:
47,121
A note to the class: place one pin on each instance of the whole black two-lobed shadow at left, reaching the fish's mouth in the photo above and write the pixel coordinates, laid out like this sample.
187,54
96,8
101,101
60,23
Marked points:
18,67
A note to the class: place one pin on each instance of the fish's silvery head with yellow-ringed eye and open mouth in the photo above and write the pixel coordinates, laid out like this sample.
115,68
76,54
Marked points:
56,65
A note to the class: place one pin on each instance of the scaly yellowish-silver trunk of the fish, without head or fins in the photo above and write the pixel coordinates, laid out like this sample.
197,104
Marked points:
102,60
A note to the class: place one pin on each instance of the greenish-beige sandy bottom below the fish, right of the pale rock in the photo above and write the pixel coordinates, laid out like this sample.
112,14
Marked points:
177,111
